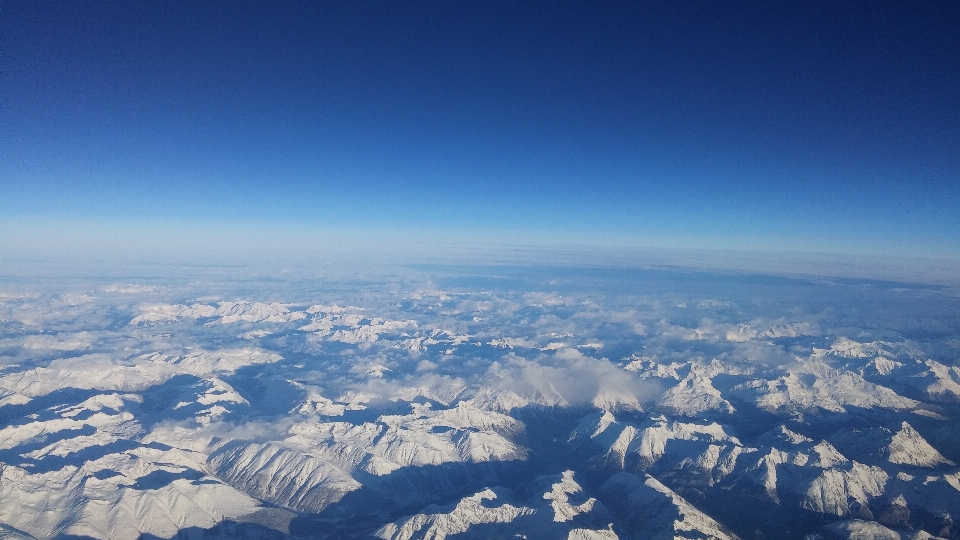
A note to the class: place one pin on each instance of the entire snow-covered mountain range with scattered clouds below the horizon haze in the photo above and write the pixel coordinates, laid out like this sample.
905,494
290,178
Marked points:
432,406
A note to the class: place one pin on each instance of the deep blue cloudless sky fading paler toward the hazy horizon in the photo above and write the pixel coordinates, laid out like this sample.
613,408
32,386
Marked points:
823,126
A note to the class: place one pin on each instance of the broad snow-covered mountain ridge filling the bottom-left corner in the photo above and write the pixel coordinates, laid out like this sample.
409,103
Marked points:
107,497
